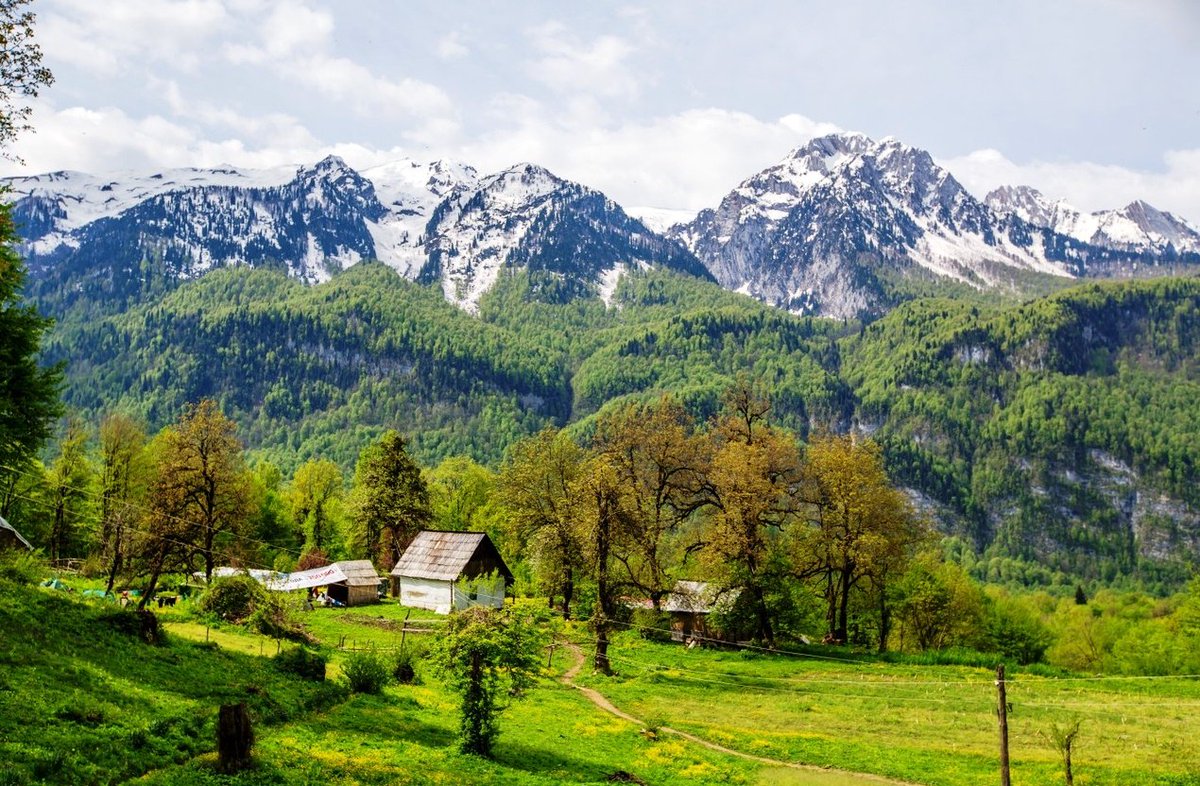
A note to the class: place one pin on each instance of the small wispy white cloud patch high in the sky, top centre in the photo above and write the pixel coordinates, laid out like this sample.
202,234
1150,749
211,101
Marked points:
569,65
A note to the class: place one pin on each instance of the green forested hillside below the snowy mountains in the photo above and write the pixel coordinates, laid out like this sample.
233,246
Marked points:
1061,431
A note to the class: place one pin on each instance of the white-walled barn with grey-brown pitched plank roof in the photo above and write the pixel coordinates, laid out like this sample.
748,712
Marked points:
445,571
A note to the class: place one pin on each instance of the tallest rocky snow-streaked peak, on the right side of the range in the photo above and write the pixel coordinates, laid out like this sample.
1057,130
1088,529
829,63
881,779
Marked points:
833,226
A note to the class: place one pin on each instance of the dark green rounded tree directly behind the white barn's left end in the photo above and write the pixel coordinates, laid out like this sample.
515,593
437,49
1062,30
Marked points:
391,502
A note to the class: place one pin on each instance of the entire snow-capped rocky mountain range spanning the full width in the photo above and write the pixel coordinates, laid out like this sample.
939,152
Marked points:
830,231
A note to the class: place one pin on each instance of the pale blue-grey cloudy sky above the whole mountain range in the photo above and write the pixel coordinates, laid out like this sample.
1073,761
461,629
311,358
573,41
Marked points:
665,105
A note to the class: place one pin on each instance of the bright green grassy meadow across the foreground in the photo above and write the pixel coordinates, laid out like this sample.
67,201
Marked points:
82,701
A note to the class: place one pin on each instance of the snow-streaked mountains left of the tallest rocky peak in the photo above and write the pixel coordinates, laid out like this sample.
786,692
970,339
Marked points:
122,239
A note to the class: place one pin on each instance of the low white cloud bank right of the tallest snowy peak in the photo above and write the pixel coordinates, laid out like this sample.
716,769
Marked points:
1090,187
